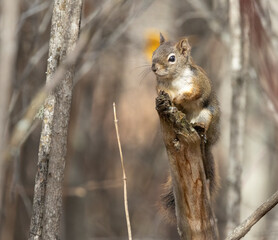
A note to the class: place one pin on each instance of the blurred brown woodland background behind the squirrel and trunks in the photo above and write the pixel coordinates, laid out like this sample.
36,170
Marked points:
116,68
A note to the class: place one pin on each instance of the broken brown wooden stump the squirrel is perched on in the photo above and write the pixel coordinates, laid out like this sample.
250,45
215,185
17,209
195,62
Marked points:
195,217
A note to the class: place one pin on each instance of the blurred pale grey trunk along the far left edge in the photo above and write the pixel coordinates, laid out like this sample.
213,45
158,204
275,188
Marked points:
8,51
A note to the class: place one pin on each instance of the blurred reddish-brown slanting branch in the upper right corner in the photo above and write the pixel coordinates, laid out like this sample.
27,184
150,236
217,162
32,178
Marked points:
263,54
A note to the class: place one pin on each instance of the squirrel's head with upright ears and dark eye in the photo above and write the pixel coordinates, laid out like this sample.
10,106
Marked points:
169,59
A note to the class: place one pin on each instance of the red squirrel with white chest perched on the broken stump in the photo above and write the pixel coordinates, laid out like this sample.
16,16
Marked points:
190,90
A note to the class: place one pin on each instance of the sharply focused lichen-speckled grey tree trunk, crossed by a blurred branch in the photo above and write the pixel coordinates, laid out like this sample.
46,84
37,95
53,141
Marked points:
47,205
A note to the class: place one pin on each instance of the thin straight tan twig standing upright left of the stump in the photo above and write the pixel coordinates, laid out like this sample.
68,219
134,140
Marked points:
124,175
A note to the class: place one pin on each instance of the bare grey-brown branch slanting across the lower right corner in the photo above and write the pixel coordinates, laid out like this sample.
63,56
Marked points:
245,226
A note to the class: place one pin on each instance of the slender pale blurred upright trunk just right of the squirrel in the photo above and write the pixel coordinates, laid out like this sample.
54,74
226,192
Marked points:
239,63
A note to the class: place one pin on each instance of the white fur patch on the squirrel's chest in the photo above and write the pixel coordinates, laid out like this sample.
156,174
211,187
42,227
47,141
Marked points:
184,83
